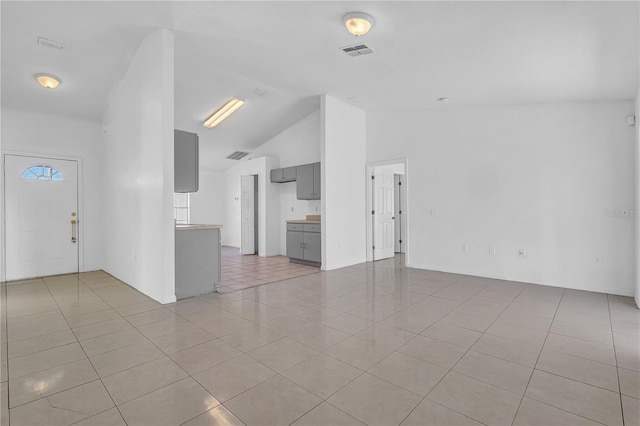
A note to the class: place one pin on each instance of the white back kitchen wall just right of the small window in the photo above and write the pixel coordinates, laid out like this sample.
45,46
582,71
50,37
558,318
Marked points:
207,205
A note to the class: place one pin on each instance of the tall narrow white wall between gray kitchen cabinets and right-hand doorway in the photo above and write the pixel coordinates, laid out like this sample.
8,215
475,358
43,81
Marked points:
343,156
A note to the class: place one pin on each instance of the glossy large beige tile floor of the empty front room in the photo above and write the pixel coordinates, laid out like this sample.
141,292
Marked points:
375,344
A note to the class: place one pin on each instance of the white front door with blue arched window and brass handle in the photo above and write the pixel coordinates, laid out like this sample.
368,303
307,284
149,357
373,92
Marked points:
41,208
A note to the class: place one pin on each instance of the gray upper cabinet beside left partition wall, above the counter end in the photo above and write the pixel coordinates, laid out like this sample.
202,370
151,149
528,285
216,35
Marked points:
186,161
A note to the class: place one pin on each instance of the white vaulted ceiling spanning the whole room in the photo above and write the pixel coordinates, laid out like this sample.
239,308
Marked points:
476,53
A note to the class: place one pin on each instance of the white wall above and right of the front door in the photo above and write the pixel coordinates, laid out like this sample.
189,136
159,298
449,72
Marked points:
51,135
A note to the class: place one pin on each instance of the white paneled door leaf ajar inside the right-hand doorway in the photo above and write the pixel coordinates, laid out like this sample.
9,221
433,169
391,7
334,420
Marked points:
383,232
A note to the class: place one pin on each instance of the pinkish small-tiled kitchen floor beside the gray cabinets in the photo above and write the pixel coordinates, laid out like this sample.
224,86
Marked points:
245,271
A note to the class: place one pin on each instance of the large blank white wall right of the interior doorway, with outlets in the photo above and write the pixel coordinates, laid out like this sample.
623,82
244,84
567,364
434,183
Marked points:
539,177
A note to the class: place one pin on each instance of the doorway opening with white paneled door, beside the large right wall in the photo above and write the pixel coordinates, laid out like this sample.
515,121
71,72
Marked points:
387,215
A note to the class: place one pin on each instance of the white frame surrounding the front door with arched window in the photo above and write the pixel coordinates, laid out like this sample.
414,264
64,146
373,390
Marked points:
81,220
